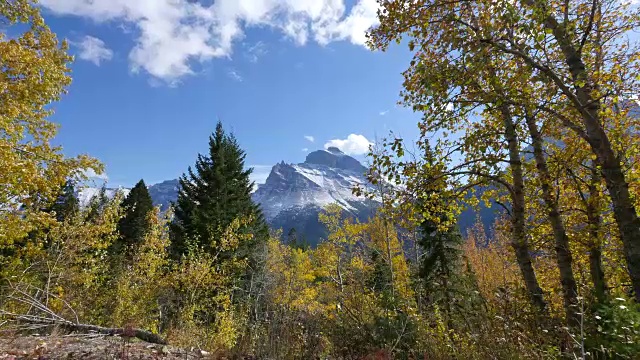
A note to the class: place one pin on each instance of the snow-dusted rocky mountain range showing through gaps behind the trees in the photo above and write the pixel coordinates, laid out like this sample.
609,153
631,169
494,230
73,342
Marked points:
294,195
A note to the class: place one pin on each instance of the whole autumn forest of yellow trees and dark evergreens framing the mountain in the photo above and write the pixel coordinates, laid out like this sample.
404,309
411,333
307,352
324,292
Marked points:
529,106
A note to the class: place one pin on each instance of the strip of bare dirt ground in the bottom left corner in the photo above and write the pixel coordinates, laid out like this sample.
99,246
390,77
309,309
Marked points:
66,347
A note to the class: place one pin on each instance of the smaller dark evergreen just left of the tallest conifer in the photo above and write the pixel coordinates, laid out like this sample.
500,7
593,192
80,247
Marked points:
134,224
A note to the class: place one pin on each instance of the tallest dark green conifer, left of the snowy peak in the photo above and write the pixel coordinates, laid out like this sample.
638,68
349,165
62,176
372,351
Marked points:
212,196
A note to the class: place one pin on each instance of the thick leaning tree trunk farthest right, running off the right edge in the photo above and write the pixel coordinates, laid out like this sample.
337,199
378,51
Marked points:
589,108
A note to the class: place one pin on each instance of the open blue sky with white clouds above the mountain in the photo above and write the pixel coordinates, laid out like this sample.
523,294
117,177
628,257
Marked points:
152,77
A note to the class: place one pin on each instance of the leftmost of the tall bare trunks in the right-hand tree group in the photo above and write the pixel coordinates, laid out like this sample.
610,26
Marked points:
519,241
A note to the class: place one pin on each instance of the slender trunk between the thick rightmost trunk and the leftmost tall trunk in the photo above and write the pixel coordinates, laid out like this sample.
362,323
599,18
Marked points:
563,253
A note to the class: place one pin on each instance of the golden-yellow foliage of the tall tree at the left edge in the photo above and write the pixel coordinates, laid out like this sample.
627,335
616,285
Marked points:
34,74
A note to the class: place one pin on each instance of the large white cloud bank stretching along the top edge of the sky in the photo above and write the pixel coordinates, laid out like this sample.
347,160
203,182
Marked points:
173,34
